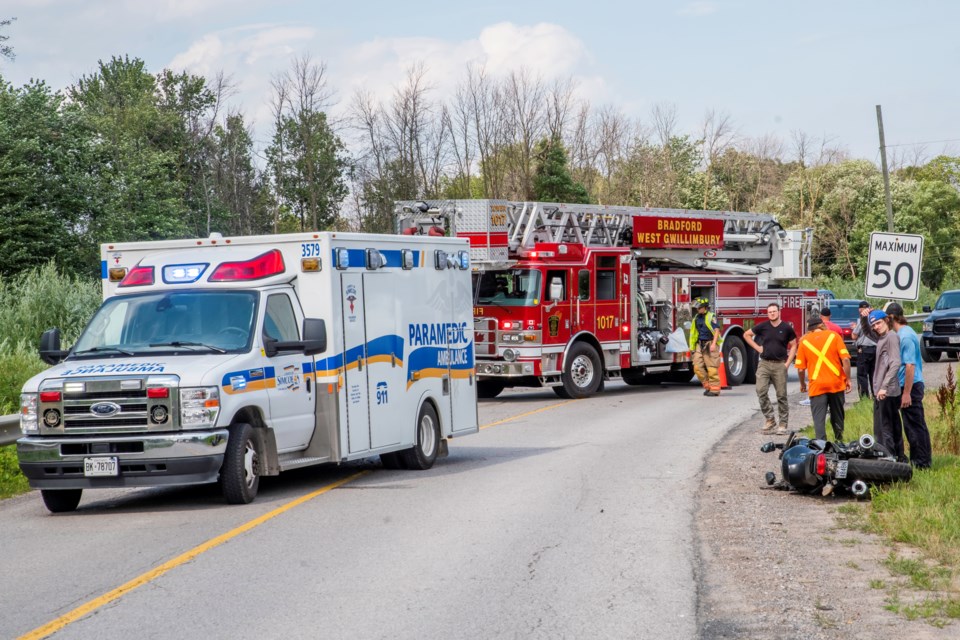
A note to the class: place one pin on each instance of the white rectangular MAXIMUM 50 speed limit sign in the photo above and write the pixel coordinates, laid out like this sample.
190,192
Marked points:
893,268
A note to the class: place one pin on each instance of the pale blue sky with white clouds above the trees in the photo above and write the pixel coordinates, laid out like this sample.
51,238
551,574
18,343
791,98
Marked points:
775,67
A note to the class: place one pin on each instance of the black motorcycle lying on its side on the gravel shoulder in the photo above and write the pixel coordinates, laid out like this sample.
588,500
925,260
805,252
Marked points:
809,465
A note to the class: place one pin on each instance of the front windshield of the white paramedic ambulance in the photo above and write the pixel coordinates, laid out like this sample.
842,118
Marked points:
202,321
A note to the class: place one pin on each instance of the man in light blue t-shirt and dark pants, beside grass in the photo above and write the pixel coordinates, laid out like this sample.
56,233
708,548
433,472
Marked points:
910,375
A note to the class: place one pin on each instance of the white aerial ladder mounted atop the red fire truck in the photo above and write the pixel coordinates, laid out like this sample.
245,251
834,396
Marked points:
501,232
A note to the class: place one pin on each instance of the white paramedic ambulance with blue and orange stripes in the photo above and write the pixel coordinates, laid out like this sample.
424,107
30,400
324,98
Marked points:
227,359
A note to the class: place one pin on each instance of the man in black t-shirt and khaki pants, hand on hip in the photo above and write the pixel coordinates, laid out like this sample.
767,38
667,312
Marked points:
777,347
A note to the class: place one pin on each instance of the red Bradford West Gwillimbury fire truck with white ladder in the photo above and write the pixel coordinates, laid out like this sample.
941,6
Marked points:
569,296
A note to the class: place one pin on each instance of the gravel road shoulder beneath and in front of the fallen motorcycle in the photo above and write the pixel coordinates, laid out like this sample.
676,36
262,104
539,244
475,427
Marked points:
775,564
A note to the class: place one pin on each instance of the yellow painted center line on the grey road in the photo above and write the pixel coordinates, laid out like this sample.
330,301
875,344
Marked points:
88,607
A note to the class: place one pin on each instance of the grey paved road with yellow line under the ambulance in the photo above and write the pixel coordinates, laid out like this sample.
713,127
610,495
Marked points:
559,519
